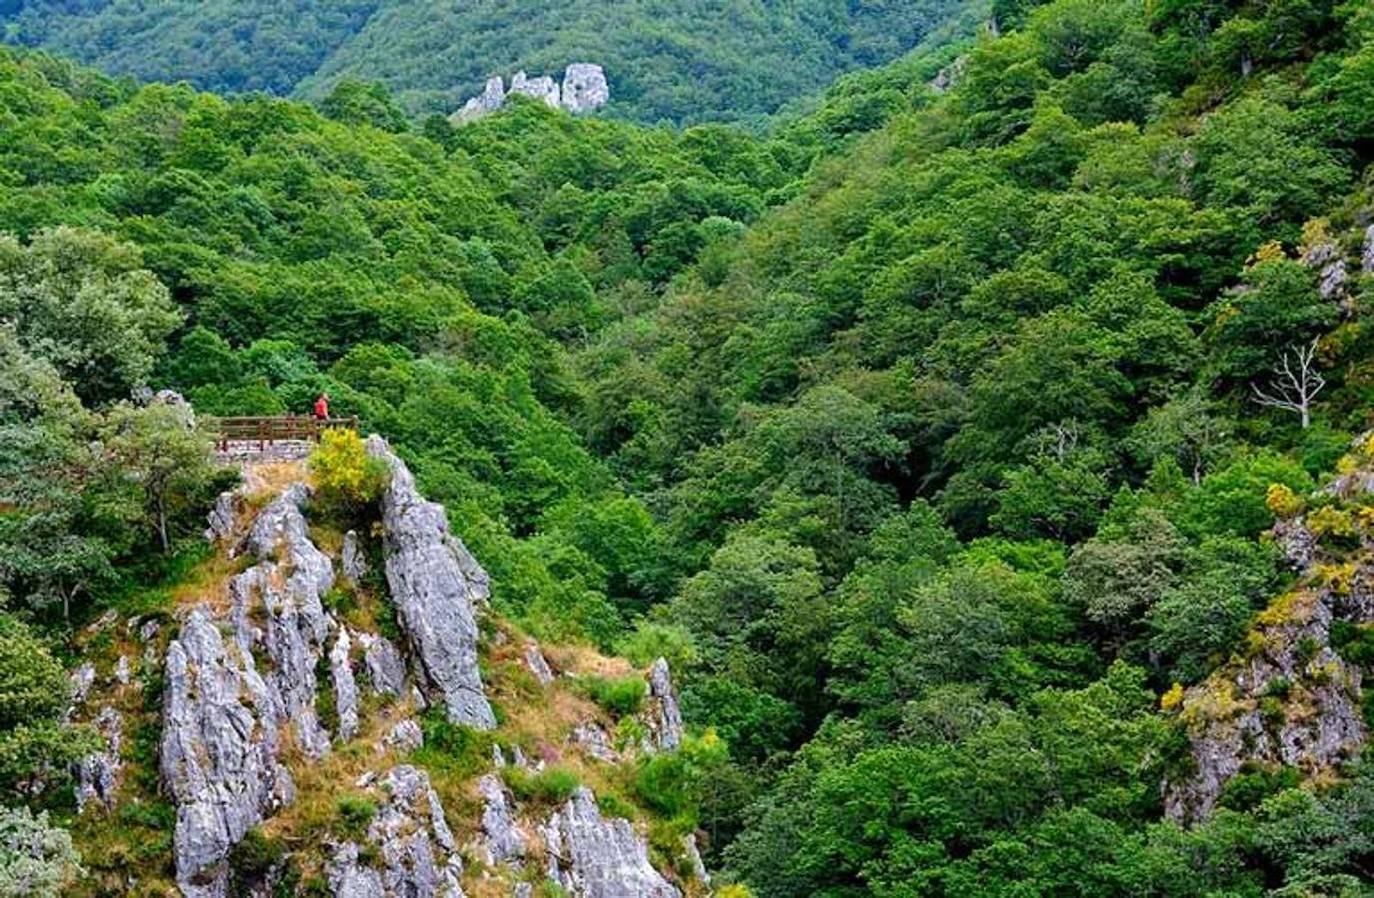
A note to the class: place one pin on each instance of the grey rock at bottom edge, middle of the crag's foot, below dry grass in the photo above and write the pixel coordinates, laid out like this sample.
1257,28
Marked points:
416,847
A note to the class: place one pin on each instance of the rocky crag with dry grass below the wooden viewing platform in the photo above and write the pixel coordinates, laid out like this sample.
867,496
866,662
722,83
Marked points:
299,700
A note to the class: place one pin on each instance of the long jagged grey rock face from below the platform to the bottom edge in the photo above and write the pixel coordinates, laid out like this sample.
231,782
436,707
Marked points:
223,716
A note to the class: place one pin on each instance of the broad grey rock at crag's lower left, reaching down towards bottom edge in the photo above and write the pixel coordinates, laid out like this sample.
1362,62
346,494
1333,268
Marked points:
219,755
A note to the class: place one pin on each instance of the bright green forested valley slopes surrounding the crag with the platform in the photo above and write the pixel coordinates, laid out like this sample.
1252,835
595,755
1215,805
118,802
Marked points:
986,451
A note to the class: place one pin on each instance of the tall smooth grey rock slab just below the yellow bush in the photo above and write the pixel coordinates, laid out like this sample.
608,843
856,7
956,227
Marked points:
435,586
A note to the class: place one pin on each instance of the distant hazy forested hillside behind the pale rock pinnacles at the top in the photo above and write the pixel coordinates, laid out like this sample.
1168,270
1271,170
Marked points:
679,62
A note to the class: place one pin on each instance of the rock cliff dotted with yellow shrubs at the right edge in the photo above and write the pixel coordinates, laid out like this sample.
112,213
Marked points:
1291,700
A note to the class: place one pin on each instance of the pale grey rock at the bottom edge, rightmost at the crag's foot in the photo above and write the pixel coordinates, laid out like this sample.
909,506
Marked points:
593,857
